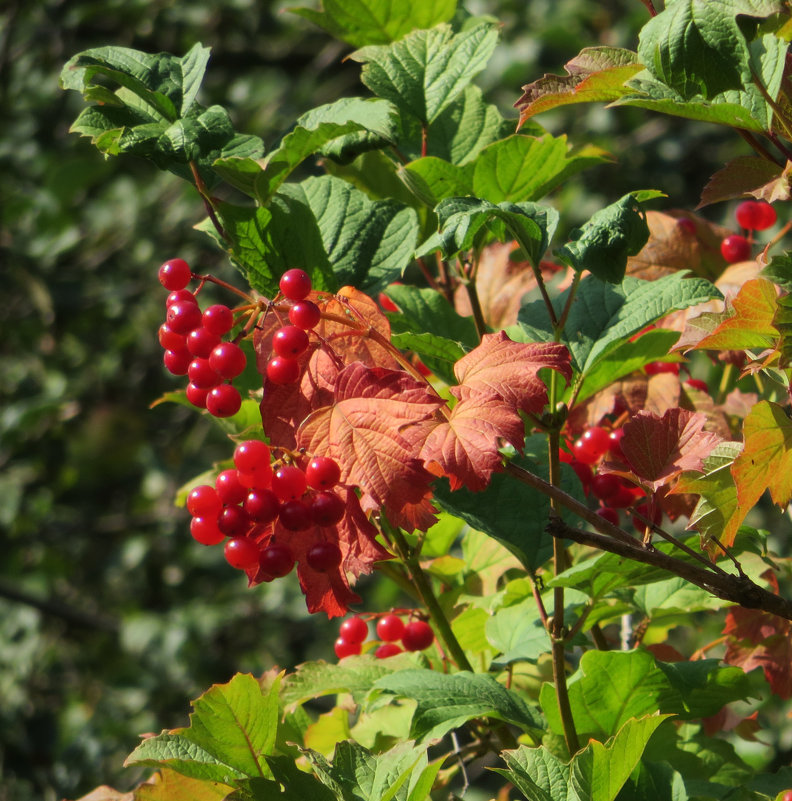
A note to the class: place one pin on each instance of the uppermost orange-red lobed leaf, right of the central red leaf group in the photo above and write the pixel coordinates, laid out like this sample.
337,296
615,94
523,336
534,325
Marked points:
509,369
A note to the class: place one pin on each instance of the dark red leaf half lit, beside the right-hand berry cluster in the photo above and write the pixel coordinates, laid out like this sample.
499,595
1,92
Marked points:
659,449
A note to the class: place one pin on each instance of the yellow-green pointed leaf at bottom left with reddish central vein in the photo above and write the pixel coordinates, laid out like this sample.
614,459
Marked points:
232,727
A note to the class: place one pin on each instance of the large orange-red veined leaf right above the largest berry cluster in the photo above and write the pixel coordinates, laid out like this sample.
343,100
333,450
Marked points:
375,428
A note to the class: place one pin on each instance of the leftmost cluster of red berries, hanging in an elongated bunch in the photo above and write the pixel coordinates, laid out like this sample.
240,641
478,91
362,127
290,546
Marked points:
194,346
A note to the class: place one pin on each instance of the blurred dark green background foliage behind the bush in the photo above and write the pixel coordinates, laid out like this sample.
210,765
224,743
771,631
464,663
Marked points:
111,617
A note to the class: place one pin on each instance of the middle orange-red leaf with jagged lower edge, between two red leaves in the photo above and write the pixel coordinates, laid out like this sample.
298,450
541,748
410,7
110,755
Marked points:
465,447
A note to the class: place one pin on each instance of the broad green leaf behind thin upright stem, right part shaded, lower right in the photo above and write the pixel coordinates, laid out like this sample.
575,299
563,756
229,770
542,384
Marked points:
611,687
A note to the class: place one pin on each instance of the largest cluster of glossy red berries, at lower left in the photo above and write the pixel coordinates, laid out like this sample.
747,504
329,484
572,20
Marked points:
247,499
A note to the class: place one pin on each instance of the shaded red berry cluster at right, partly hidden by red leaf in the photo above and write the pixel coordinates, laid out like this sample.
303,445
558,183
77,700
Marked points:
613,492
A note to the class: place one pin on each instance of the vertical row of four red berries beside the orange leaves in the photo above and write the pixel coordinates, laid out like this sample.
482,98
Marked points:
291,341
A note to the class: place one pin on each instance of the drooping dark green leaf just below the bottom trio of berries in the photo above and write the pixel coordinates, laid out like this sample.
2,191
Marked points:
447,701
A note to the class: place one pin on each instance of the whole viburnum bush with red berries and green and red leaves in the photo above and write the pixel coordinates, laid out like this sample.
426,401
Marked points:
551,446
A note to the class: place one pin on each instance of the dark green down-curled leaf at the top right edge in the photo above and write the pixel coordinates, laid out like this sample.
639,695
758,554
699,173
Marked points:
696,47
